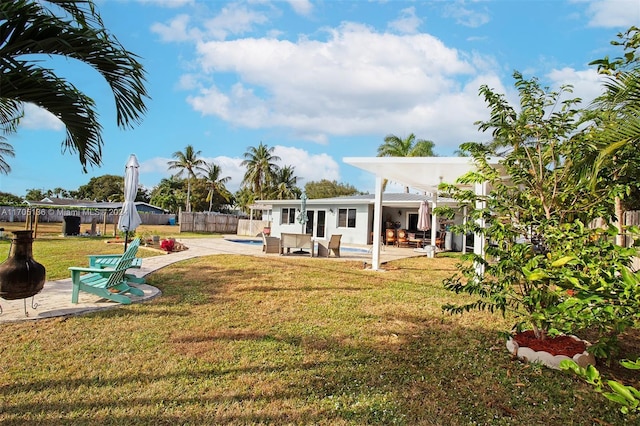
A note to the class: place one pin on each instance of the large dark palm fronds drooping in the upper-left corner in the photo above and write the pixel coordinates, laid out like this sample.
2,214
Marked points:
31,30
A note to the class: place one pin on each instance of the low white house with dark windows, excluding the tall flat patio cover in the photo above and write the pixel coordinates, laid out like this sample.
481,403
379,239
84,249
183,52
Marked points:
353,217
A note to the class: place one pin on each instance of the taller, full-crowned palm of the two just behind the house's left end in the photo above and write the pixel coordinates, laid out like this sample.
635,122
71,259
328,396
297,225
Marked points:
261,168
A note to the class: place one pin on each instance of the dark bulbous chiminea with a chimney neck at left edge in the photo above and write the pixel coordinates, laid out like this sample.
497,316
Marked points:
20,275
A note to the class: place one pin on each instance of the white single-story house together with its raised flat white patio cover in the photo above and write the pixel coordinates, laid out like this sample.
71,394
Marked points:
361,220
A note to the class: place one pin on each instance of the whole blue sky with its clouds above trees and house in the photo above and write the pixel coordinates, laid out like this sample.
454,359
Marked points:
317,80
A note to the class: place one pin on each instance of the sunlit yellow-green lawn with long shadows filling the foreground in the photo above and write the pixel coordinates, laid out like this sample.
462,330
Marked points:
244,340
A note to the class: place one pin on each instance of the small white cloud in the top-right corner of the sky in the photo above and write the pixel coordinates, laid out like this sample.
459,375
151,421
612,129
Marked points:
613,13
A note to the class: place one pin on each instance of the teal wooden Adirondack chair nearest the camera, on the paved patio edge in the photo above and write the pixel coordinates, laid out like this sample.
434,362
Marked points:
109,283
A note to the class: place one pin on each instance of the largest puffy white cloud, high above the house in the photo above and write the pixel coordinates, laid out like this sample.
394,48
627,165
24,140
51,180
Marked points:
358,81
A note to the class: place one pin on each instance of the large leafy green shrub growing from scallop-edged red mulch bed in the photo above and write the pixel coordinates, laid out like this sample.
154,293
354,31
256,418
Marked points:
541,262
